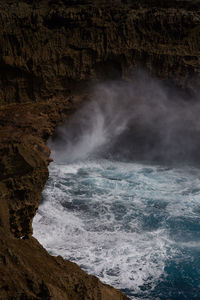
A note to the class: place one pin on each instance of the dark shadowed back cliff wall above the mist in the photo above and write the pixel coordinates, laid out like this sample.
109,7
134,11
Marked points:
47,46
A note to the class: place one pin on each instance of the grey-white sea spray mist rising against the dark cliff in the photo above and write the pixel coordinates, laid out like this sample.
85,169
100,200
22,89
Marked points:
139,119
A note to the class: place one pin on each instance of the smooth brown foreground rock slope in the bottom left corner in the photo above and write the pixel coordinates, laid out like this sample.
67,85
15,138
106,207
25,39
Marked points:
27,271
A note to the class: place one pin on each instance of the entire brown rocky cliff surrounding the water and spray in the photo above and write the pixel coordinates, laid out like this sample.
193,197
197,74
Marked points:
48,50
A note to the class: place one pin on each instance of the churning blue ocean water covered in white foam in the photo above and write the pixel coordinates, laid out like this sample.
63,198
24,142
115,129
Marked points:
134,225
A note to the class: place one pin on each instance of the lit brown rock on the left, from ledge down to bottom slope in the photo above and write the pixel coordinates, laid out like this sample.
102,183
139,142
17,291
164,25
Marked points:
27,271
